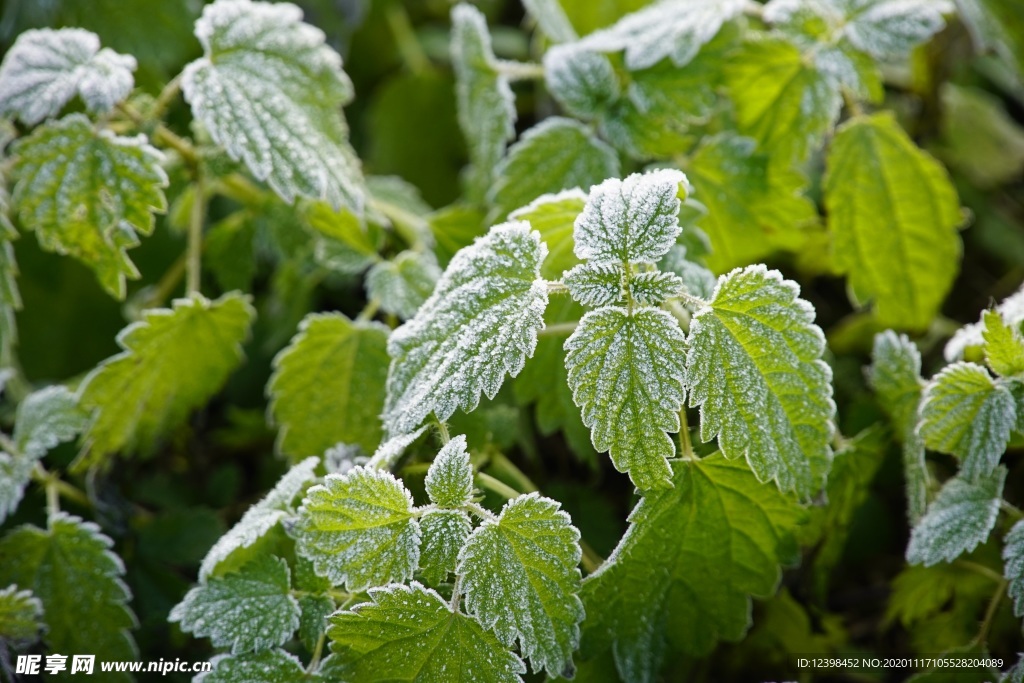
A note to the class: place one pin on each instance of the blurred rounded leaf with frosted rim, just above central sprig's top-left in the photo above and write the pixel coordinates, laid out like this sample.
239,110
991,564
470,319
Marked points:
558,154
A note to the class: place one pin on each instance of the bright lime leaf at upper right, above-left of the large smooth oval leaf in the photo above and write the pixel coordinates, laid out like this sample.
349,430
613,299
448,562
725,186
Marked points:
782,101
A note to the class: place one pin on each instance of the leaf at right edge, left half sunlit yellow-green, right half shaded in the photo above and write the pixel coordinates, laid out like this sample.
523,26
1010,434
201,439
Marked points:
966,414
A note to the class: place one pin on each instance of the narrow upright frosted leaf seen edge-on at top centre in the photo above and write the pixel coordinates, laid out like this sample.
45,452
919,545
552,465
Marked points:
487,106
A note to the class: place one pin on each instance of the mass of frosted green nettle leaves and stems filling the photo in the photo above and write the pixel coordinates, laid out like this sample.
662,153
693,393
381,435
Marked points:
593,286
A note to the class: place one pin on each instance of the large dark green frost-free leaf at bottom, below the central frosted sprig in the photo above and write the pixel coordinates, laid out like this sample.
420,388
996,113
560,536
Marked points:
685,572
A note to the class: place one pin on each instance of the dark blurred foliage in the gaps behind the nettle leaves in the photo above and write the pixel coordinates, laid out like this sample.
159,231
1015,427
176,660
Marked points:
851,593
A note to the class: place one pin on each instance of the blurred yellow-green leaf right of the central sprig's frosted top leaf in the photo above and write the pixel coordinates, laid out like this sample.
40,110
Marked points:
755,207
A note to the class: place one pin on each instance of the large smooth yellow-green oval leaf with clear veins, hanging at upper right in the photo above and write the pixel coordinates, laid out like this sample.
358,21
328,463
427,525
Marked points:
904,253
